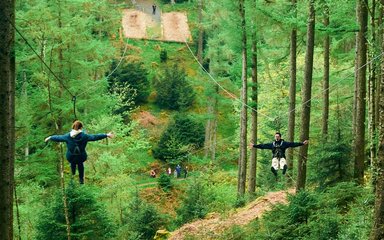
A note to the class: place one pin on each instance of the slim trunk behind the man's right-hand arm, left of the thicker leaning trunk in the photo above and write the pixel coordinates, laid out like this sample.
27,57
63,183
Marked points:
292,95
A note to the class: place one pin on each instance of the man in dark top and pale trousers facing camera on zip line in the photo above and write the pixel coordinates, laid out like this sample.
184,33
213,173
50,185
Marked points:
278,148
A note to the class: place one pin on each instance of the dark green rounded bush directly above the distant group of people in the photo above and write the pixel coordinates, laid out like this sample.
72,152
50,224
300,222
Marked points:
181,136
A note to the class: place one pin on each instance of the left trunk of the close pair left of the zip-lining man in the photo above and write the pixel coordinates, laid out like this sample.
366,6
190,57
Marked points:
243,117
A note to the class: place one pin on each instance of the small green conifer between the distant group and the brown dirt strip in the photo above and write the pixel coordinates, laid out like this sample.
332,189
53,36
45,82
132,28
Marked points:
194,204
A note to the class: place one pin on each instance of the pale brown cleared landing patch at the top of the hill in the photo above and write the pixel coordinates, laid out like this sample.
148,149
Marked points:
142,23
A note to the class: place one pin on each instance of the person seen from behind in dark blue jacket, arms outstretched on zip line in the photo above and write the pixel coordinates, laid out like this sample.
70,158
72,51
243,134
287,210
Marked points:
76,141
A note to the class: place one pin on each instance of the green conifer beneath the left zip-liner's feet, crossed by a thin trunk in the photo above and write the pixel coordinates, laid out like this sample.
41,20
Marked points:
83,210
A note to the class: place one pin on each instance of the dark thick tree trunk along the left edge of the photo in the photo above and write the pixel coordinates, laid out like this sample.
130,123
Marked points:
7,116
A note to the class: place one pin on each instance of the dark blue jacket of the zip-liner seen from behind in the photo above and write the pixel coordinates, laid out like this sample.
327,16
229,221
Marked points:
79,140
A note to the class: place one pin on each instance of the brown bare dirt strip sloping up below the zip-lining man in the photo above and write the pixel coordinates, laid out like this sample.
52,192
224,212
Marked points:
215,225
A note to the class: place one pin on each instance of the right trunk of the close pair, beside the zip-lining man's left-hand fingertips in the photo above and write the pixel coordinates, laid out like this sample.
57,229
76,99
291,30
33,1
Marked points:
253,158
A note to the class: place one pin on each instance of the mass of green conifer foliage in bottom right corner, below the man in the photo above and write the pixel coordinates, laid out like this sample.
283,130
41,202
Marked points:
337,213
